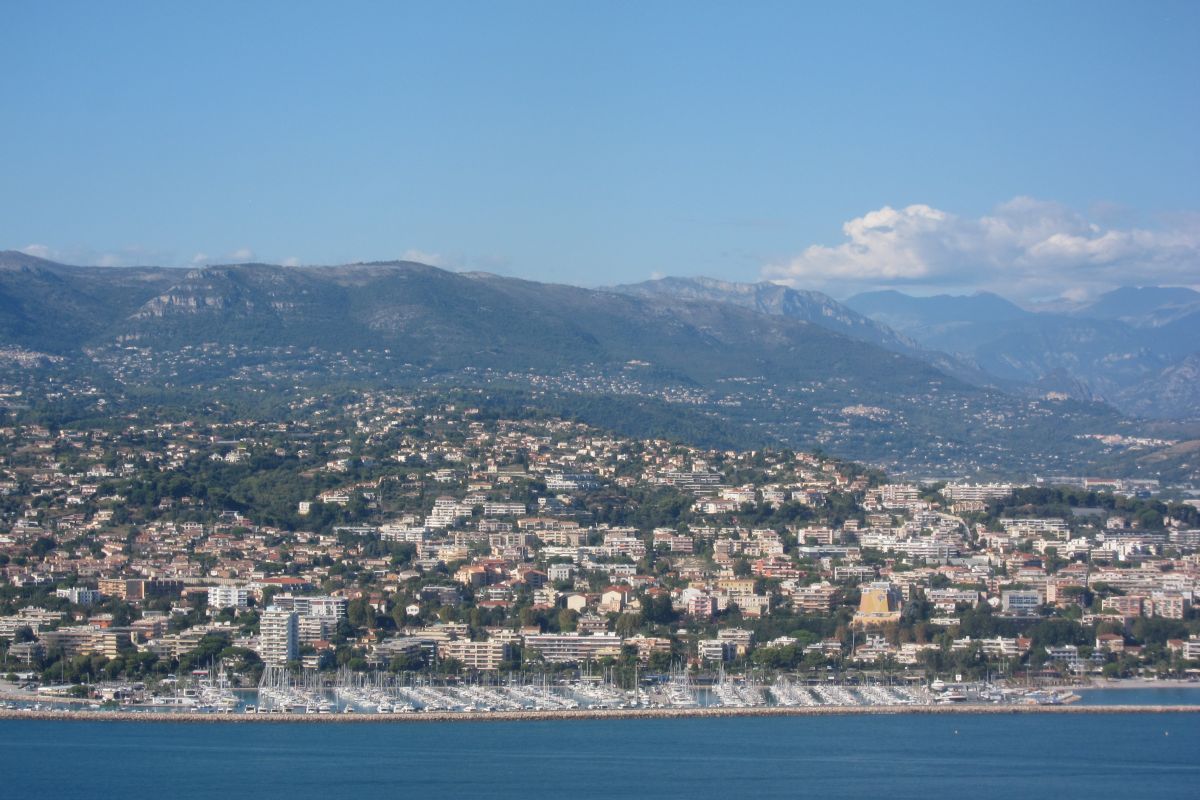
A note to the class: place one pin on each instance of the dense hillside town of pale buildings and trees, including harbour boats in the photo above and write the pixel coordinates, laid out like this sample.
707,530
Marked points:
427,551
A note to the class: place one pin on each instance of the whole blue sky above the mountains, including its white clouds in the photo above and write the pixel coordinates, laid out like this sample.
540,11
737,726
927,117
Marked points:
1037,148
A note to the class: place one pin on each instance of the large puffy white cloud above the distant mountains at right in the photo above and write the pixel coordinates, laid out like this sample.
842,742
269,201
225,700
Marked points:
1024,249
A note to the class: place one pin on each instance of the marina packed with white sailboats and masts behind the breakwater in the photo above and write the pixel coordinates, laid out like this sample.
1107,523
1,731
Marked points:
309,695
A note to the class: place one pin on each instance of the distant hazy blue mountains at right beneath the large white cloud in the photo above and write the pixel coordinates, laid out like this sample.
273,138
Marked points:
1135,348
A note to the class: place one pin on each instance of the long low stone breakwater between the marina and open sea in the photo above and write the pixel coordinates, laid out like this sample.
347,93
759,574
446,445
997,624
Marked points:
581,714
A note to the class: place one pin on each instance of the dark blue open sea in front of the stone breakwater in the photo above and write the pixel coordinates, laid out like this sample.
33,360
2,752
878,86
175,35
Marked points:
904,756
